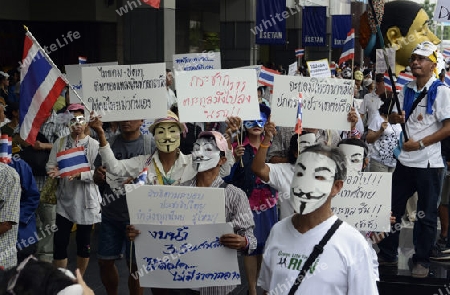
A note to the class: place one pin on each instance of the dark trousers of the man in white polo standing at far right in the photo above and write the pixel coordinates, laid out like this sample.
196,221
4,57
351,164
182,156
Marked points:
427,183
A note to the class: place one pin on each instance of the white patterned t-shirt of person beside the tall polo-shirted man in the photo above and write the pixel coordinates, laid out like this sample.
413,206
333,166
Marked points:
382,149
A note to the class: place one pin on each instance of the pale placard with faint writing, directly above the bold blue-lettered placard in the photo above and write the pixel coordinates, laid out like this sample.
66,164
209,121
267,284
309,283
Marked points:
175,205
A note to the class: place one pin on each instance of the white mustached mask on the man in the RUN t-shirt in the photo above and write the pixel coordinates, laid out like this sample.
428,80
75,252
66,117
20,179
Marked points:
312,183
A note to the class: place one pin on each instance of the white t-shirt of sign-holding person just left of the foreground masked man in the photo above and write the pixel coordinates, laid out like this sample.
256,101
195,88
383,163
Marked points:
280,178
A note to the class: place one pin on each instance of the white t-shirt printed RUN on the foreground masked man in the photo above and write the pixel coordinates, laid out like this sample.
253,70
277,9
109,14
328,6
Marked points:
346,265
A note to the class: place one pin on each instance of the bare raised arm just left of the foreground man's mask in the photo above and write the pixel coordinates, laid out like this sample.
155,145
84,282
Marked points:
259,166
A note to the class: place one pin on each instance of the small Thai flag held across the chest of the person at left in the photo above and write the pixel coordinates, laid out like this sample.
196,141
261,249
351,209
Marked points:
72,161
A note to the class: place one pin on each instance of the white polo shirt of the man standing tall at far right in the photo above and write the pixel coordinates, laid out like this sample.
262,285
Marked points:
420,124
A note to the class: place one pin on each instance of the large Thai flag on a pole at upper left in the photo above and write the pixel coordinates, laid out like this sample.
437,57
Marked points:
41,83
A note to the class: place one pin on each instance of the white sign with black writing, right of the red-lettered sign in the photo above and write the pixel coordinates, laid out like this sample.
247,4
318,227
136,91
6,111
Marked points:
325,102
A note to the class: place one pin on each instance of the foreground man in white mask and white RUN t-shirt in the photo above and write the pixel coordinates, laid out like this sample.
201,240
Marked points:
346,265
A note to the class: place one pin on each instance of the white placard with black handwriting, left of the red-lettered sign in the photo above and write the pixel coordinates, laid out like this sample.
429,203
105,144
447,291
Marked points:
130,92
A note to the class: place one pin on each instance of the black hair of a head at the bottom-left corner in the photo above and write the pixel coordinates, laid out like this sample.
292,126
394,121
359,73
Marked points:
36,278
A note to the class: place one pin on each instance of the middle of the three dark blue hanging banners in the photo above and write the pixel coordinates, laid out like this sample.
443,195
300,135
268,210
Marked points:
314,26
